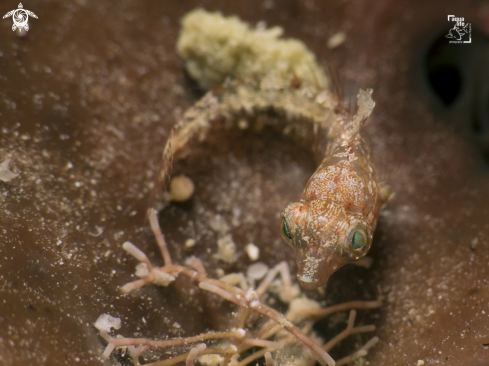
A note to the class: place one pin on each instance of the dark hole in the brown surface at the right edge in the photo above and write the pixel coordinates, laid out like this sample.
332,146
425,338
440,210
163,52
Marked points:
458,77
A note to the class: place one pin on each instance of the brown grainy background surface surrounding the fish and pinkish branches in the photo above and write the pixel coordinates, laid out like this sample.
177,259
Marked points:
87,99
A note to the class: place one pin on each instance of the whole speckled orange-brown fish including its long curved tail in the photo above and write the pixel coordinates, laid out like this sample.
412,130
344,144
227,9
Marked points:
342,196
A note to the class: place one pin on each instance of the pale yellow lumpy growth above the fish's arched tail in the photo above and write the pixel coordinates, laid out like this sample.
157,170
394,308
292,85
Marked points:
215,47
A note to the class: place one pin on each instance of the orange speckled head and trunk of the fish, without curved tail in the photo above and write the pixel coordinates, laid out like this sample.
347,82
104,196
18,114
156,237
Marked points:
334,222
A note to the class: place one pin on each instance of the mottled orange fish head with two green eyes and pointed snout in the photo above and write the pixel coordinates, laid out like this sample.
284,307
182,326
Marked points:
325,236
